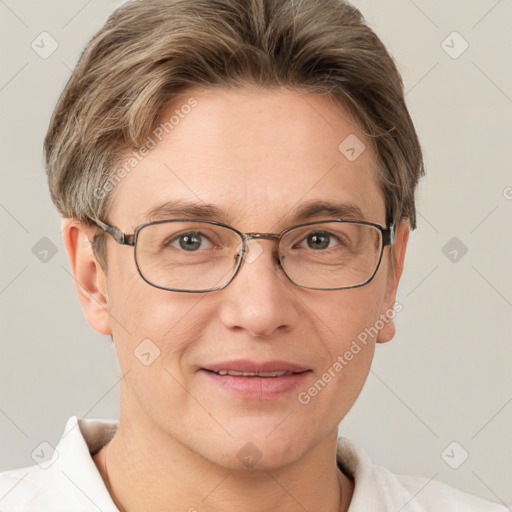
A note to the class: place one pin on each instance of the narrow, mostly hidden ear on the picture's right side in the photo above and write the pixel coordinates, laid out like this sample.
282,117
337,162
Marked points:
389,308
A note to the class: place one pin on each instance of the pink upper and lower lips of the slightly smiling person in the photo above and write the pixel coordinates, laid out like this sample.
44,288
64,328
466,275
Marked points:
253,387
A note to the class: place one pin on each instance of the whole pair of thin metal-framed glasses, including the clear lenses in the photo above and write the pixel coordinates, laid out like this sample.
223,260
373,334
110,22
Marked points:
188,255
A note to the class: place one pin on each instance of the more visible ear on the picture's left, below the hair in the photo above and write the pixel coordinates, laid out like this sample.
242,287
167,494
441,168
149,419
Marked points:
90,280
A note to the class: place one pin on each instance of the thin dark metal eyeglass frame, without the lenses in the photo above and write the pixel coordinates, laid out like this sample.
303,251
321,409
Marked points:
119,236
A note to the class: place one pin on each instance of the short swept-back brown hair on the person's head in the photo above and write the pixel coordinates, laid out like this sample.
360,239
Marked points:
150,52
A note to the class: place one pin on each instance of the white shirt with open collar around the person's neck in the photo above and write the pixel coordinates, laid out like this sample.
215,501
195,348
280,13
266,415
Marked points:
70,481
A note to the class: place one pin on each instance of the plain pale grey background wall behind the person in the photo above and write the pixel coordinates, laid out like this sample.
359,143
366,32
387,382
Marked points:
447,374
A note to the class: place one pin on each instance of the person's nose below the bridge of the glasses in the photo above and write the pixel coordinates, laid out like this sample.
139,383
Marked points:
260,300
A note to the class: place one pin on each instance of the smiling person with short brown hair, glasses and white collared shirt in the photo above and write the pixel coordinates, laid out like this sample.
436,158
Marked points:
237,182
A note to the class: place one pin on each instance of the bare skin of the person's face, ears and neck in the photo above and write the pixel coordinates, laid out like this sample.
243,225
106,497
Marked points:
256,154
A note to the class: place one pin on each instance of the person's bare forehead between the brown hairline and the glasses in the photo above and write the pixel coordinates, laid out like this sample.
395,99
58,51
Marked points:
253,158
